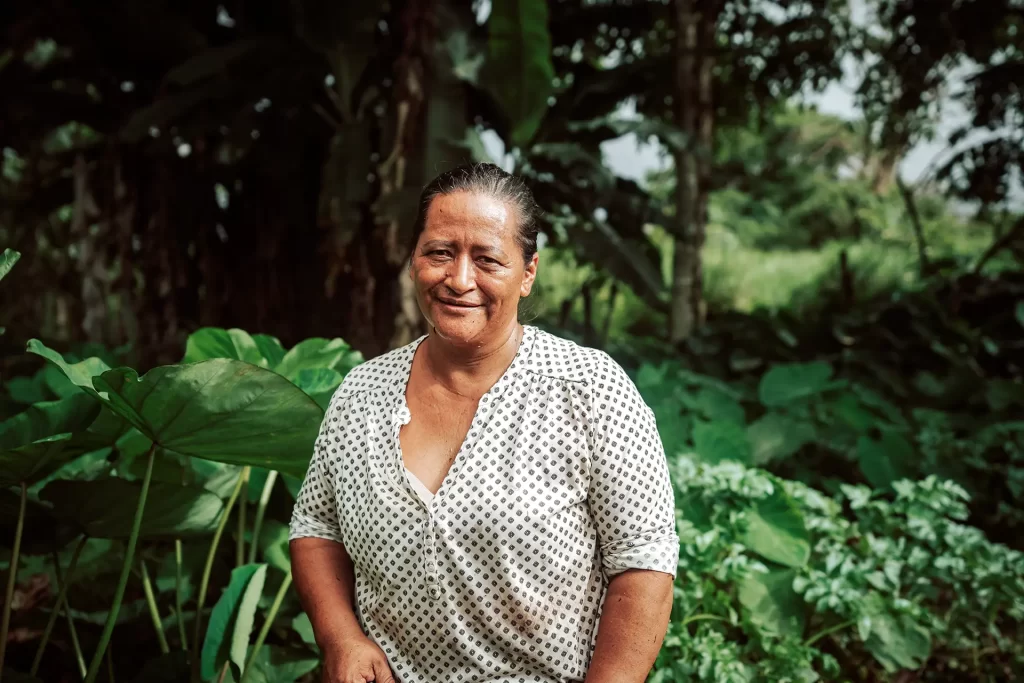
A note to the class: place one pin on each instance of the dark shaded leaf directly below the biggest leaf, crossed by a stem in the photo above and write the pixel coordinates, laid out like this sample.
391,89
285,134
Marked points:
104,508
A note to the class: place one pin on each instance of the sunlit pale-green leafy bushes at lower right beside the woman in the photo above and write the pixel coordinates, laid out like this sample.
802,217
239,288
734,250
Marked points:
891,582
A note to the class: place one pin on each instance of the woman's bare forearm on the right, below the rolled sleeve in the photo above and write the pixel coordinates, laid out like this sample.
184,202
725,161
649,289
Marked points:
634,620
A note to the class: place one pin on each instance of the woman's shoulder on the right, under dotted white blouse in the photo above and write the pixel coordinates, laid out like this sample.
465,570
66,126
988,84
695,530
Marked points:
564,359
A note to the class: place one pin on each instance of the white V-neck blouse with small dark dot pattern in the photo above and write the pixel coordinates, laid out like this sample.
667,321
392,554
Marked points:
561,484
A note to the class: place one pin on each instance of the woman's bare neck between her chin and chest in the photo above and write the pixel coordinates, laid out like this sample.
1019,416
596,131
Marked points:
464,368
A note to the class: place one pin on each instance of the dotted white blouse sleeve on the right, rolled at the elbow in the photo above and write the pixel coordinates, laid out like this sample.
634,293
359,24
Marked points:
631,497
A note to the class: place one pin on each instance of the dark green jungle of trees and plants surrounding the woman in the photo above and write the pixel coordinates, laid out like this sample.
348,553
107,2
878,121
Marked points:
221,197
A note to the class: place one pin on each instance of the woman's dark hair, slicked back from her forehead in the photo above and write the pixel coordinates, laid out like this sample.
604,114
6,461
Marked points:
492,181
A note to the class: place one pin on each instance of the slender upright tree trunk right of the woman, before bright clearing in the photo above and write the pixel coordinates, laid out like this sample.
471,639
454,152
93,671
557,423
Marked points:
695,116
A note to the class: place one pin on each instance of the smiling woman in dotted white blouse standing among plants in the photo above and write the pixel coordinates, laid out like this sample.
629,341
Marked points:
479,498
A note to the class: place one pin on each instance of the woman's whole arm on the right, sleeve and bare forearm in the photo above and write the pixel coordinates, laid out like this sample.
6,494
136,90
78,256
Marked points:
632,504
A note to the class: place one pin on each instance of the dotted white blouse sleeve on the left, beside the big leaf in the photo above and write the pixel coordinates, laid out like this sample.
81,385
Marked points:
316,511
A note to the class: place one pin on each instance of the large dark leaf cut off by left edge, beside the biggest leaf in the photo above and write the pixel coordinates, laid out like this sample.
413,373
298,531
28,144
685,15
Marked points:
46,437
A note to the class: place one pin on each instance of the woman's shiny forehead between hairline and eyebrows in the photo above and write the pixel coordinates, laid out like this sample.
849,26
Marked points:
464,212
